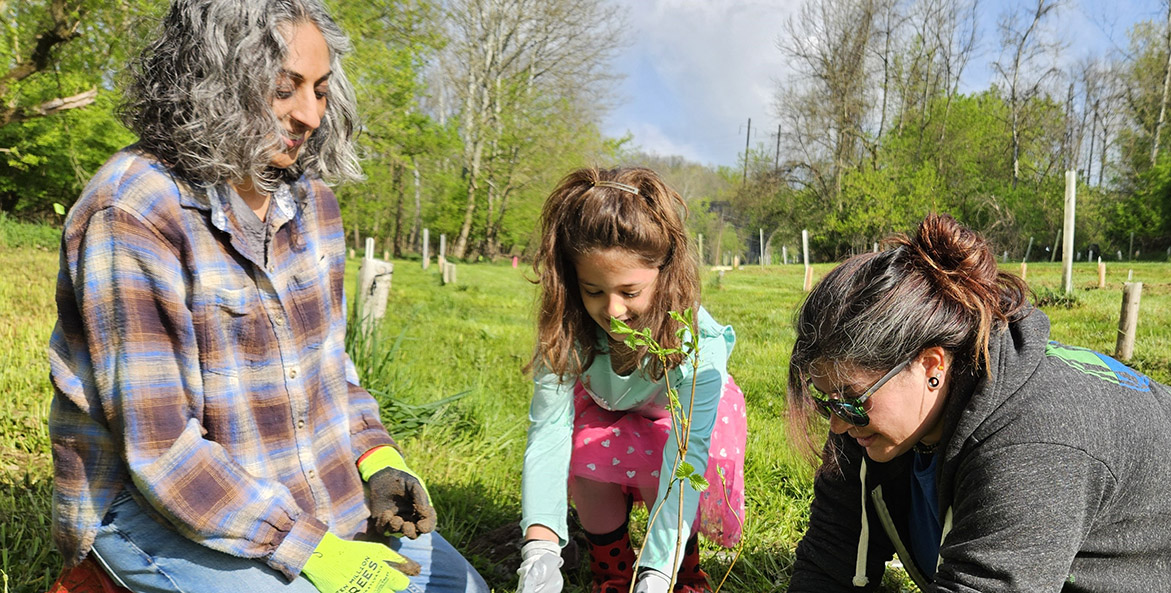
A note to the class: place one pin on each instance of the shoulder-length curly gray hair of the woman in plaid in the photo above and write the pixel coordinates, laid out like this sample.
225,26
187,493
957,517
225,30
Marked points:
200,97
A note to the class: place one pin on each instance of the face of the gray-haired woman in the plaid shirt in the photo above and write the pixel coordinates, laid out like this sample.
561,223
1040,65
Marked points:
302,93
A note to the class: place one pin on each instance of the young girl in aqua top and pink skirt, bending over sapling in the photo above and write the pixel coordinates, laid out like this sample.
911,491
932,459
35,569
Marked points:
614,247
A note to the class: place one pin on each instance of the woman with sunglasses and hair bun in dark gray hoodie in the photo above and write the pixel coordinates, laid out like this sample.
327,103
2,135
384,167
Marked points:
961,438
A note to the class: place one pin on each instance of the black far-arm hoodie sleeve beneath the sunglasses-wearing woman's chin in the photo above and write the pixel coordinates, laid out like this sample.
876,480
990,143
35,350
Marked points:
830,554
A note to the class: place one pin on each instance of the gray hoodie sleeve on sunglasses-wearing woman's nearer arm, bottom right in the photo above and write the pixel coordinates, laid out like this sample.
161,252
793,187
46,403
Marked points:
1019,519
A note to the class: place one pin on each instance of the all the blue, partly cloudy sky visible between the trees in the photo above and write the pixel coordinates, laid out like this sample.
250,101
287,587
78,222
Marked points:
696,71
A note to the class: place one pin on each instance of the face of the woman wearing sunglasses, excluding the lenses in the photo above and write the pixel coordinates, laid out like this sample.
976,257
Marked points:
903,412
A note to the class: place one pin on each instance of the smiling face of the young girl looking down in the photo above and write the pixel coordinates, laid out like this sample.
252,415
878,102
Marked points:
615,283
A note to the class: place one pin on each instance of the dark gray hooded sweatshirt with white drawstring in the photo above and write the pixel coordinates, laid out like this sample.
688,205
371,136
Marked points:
1056,475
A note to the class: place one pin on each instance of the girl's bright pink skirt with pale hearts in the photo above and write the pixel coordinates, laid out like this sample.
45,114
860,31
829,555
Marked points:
627,448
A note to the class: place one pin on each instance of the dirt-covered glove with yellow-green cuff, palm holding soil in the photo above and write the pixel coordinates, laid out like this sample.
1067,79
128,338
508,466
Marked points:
400,502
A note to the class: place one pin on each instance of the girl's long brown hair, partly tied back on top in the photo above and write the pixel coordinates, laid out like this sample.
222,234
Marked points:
579,219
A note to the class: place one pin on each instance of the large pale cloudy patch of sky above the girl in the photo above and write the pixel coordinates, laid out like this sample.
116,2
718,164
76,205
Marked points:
697,71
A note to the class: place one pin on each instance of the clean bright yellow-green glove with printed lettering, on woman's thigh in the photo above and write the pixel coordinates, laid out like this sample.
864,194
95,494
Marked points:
343,567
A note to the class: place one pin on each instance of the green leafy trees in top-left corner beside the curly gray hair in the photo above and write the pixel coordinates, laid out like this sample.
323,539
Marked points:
58,64
